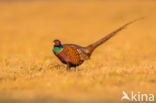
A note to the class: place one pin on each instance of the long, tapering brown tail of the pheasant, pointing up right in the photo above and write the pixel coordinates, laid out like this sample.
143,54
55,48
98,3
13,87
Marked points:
91,47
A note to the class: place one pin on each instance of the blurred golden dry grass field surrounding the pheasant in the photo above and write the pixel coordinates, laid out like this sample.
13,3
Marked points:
30,73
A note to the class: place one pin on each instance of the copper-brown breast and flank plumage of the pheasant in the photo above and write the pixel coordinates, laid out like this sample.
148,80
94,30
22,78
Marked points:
70,54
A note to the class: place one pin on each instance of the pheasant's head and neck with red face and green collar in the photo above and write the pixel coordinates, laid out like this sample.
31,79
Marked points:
57,46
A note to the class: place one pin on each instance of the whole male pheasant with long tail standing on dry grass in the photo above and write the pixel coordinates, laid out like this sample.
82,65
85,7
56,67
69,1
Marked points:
74,55
